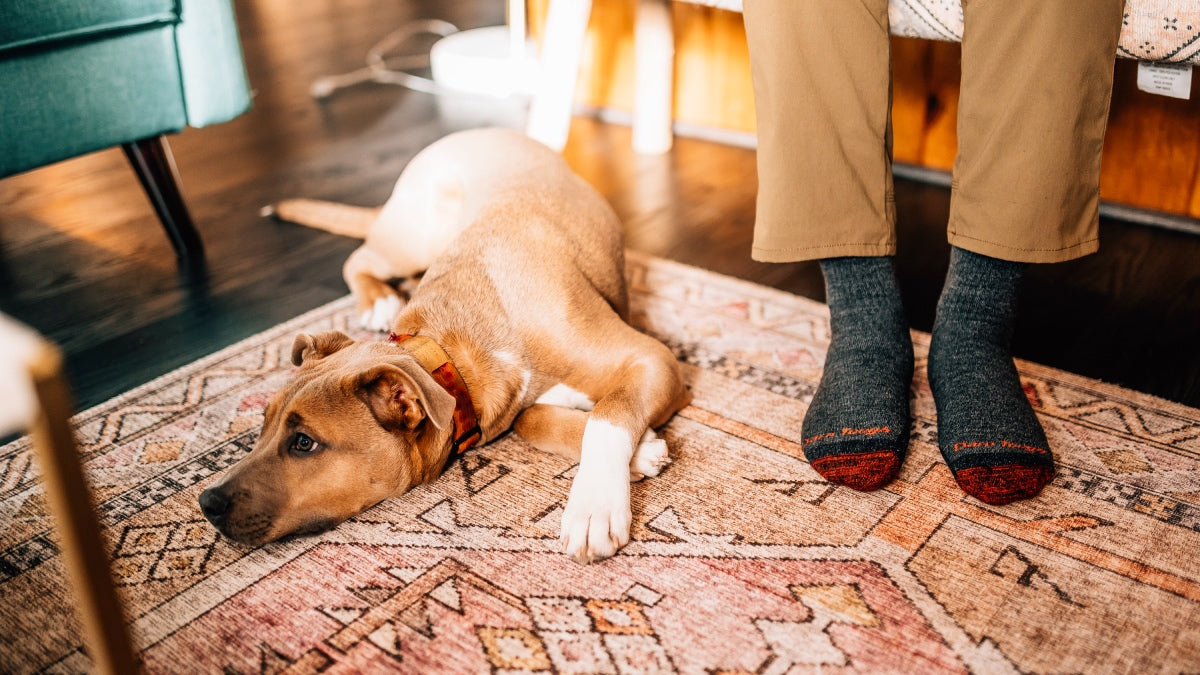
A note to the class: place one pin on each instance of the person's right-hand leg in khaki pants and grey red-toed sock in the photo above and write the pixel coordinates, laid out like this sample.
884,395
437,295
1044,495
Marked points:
1037,80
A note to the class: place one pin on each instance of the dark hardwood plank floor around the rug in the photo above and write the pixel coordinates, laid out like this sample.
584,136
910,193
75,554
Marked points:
85,260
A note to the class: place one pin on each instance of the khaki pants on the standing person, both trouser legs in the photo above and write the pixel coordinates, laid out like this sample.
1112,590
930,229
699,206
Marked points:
1037,79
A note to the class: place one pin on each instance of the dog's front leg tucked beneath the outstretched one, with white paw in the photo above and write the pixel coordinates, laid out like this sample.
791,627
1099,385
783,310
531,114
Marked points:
560,432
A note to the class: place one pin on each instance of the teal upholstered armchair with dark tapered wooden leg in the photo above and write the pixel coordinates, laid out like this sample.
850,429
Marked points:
79,76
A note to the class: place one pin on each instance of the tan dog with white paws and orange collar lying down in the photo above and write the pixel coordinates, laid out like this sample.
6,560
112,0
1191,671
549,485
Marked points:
519,322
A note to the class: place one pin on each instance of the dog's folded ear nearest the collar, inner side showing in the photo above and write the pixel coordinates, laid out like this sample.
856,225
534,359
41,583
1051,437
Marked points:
401,396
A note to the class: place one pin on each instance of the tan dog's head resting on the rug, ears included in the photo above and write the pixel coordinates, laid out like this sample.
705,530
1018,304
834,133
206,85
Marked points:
358,423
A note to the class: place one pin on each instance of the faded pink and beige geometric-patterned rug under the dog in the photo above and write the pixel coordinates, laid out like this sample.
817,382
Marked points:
743,560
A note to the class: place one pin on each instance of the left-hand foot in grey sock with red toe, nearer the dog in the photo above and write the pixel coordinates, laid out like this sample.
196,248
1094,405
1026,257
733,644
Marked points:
856,431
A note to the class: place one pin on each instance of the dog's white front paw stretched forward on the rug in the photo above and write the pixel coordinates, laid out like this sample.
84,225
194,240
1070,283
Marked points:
597,517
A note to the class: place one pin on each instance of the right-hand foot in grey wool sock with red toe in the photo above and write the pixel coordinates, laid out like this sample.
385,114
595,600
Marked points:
987,429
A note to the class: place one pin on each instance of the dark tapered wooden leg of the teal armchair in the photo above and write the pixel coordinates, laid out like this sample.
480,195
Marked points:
155,166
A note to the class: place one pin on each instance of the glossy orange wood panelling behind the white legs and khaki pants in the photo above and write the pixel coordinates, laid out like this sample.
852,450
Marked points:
1151,152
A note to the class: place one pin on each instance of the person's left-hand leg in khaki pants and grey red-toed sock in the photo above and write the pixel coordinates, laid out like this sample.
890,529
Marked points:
823,93
